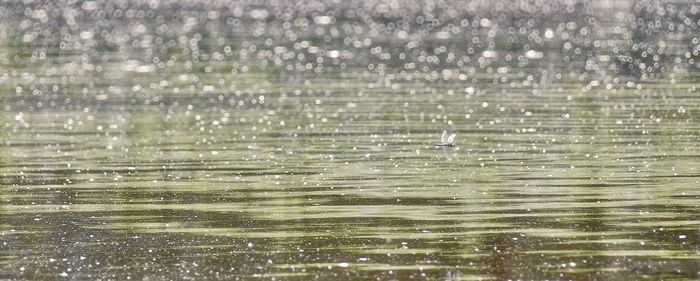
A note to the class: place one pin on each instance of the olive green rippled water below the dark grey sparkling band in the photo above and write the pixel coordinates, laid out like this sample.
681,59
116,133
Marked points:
115,174
